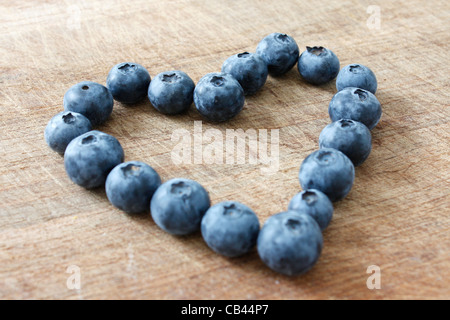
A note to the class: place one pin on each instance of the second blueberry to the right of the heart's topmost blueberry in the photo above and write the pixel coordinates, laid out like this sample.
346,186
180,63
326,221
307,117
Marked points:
358,76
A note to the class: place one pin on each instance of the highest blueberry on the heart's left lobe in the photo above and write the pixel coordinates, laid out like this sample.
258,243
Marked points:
128,82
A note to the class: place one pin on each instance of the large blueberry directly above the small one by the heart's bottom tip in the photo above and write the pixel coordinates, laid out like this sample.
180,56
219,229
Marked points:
327,170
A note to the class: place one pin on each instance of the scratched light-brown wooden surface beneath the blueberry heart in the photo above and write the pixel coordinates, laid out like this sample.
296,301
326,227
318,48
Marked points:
396,216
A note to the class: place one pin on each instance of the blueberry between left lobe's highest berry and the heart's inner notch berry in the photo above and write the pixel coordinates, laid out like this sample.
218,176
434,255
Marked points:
171,92
